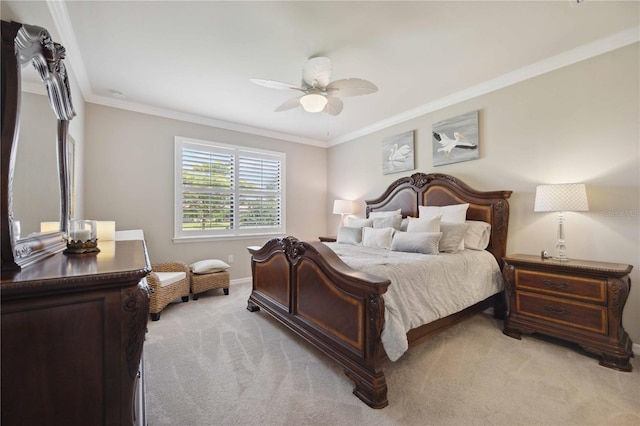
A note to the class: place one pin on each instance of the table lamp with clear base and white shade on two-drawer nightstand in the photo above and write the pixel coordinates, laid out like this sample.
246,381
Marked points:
569,197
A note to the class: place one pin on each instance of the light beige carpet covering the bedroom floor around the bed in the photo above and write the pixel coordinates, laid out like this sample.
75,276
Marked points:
212,362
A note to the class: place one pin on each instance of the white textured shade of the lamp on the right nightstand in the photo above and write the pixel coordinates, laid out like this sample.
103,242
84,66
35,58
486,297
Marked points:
569,197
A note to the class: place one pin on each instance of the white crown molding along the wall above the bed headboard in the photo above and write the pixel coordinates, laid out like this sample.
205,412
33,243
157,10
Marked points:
598,47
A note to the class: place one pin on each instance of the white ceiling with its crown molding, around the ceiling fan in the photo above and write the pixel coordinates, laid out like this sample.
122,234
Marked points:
193,60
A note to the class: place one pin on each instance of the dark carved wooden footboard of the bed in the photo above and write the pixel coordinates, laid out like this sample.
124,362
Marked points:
337,309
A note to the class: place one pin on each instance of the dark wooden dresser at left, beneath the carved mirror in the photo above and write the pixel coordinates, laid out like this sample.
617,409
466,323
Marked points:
73,328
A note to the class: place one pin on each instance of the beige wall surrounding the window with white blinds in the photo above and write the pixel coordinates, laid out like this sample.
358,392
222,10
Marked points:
129,178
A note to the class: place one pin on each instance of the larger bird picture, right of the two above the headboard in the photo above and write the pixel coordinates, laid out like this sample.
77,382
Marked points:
456,139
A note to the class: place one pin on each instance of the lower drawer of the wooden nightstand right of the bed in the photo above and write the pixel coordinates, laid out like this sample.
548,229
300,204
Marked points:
592,318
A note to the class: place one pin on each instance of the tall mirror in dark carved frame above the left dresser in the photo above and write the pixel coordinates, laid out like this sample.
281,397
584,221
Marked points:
23,45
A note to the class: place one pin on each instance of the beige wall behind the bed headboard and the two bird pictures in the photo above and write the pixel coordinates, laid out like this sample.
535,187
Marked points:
576,124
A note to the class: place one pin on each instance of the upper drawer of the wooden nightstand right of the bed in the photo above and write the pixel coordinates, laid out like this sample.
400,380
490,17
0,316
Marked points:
587,289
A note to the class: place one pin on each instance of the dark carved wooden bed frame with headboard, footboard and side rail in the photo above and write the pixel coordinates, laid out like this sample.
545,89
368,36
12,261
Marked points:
339,310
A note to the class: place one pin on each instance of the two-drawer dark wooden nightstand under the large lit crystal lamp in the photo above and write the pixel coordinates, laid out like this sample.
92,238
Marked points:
578,300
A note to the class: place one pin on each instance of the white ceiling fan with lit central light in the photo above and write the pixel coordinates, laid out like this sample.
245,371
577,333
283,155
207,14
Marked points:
318,92
